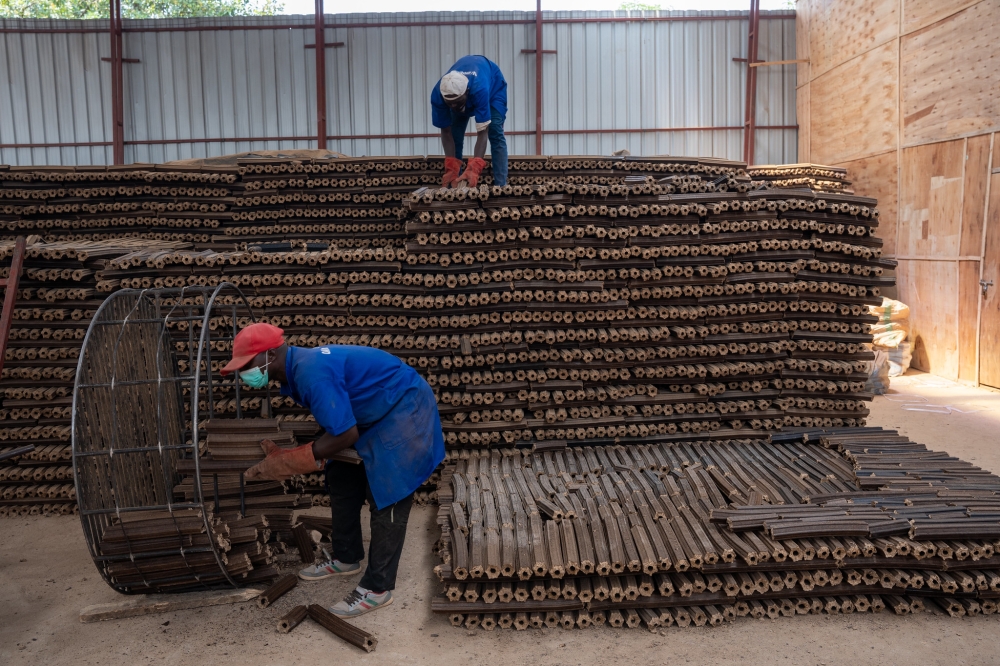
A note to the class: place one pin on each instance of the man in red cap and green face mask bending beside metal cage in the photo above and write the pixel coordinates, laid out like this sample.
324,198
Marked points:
361,397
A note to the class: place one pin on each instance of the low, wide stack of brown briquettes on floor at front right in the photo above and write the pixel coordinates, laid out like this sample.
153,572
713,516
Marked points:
703,533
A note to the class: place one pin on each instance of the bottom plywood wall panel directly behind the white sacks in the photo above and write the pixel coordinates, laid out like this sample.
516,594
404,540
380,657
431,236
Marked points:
930,288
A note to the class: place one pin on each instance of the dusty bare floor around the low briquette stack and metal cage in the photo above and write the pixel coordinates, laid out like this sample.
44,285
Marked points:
47,577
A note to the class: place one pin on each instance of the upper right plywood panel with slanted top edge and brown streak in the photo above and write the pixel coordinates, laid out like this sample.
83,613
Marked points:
950,76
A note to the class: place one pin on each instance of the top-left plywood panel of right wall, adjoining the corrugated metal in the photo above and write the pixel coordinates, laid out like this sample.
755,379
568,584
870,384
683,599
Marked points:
842,29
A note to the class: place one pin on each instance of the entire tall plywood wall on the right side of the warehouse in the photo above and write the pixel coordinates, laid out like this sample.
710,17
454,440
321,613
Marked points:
904,94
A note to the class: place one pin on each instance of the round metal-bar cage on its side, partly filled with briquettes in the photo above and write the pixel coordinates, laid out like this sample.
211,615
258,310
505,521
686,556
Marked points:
147,353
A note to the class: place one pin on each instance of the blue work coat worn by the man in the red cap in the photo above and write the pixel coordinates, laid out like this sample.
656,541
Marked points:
400,439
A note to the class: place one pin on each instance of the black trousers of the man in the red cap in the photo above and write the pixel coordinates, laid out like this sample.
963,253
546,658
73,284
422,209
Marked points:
347,484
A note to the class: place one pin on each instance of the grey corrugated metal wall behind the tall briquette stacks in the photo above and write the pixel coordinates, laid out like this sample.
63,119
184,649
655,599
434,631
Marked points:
214,79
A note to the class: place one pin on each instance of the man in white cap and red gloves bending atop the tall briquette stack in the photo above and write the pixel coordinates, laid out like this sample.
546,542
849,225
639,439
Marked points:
474,88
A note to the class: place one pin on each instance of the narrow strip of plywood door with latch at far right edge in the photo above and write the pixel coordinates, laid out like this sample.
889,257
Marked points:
989,332
